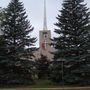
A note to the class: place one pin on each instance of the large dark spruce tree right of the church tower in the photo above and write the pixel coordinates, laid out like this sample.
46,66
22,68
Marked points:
72,41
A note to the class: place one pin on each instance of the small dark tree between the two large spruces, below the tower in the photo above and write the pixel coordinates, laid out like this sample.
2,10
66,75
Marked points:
42,65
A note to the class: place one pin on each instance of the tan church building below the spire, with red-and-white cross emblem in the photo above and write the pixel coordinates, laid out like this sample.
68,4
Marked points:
44,45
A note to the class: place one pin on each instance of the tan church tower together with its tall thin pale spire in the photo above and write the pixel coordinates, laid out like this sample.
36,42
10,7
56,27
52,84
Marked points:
44,37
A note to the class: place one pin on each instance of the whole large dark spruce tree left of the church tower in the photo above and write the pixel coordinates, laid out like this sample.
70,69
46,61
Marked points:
18,43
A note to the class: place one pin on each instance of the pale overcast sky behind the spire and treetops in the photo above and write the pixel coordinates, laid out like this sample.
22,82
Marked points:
35,9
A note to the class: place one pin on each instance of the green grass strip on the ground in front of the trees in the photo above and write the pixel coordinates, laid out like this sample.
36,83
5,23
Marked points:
43,85
